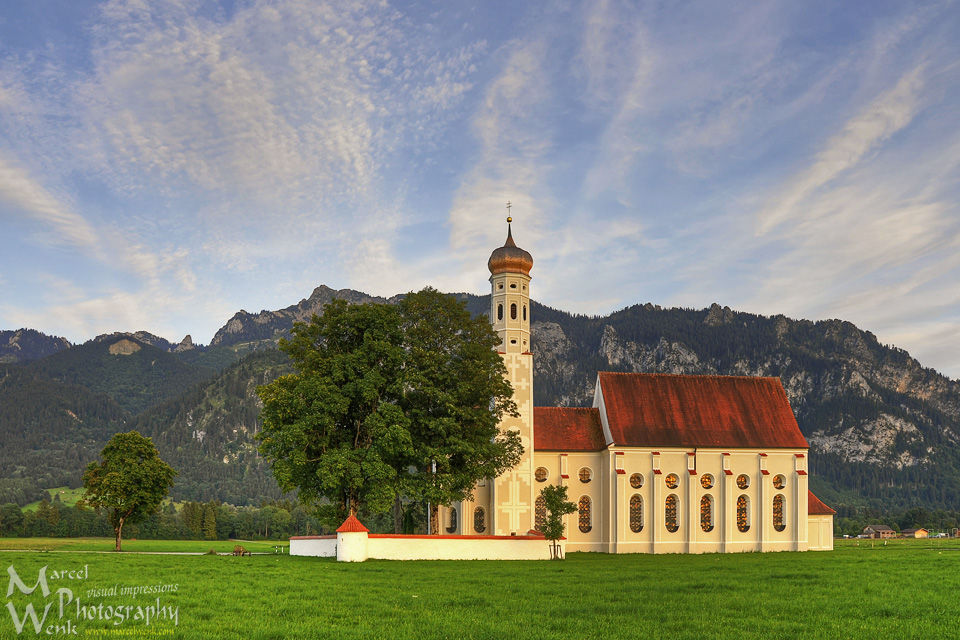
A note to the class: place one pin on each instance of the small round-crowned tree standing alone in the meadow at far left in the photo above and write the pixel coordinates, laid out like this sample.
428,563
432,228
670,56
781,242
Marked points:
130,482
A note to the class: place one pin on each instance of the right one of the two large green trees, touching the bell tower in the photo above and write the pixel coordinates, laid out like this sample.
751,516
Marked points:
455,395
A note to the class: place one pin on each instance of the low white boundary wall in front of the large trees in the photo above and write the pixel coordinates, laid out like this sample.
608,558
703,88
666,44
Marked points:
359,546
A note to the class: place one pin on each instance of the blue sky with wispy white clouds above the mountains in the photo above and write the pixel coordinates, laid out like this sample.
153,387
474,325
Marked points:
165,164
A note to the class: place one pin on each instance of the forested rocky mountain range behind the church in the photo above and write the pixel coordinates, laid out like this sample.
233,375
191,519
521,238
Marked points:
883,430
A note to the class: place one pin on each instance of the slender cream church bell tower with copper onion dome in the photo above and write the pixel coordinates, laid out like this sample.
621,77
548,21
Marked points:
512,500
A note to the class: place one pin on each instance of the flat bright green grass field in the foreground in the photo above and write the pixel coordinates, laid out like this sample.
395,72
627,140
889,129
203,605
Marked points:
905,589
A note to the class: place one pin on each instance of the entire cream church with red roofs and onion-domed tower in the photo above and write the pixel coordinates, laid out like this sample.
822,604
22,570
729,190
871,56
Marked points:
659,463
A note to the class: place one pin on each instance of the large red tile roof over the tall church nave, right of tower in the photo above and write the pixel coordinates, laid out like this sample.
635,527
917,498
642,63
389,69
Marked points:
658,410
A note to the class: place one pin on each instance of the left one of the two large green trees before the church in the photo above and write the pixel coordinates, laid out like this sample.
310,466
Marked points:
333,429
